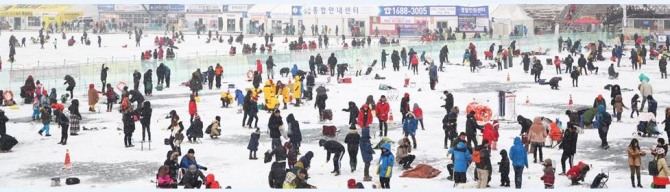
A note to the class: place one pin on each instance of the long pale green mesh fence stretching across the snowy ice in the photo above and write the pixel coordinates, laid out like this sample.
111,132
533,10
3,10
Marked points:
51,73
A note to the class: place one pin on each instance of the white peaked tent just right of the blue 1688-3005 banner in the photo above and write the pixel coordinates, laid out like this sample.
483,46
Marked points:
505,17
